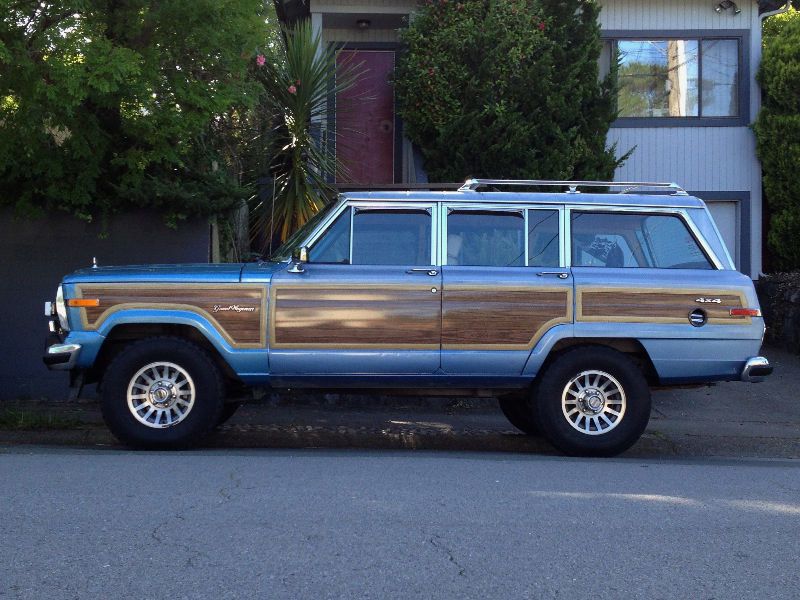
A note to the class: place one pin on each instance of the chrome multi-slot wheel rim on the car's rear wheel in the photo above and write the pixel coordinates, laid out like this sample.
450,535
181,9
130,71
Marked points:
593,402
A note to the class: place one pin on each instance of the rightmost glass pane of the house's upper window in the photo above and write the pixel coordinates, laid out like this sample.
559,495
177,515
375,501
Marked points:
720,78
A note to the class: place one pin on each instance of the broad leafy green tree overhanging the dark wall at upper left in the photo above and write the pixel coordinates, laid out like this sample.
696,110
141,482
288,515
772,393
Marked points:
105,105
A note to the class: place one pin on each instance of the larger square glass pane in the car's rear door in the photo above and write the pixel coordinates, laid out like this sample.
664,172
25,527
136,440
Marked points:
486,238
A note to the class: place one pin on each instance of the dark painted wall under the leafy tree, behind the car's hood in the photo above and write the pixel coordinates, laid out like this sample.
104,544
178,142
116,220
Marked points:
36,254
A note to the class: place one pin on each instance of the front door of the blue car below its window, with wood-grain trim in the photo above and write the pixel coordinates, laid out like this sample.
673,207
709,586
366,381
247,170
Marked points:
355,319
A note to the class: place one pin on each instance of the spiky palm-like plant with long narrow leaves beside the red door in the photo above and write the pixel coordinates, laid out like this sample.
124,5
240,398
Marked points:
297,85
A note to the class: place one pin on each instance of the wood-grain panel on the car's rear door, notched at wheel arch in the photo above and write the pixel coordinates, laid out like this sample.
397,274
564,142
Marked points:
494,318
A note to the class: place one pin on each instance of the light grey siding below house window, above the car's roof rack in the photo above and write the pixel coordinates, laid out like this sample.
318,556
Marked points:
697,158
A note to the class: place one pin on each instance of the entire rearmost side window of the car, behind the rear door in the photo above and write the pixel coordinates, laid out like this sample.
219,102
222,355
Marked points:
631,240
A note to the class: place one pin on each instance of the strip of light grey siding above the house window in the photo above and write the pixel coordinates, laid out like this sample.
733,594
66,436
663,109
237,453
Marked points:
673,14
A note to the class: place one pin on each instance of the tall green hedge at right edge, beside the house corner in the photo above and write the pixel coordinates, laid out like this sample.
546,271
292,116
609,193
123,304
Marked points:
778,141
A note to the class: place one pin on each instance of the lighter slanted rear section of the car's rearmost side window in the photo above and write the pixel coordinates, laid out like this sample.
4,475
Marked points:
672,245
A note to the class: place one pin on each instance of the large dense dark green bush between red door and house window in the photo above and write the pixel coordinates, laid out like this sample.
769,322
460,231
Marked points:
507,89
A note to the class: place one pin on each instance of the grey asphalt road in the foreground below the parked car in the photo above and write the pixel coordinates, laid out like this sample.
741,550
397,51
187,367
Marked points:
383,524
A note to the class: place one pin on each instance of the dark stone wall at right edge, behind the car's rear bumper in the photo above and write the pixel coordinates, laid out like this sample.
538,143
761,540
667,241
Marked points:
779,295
